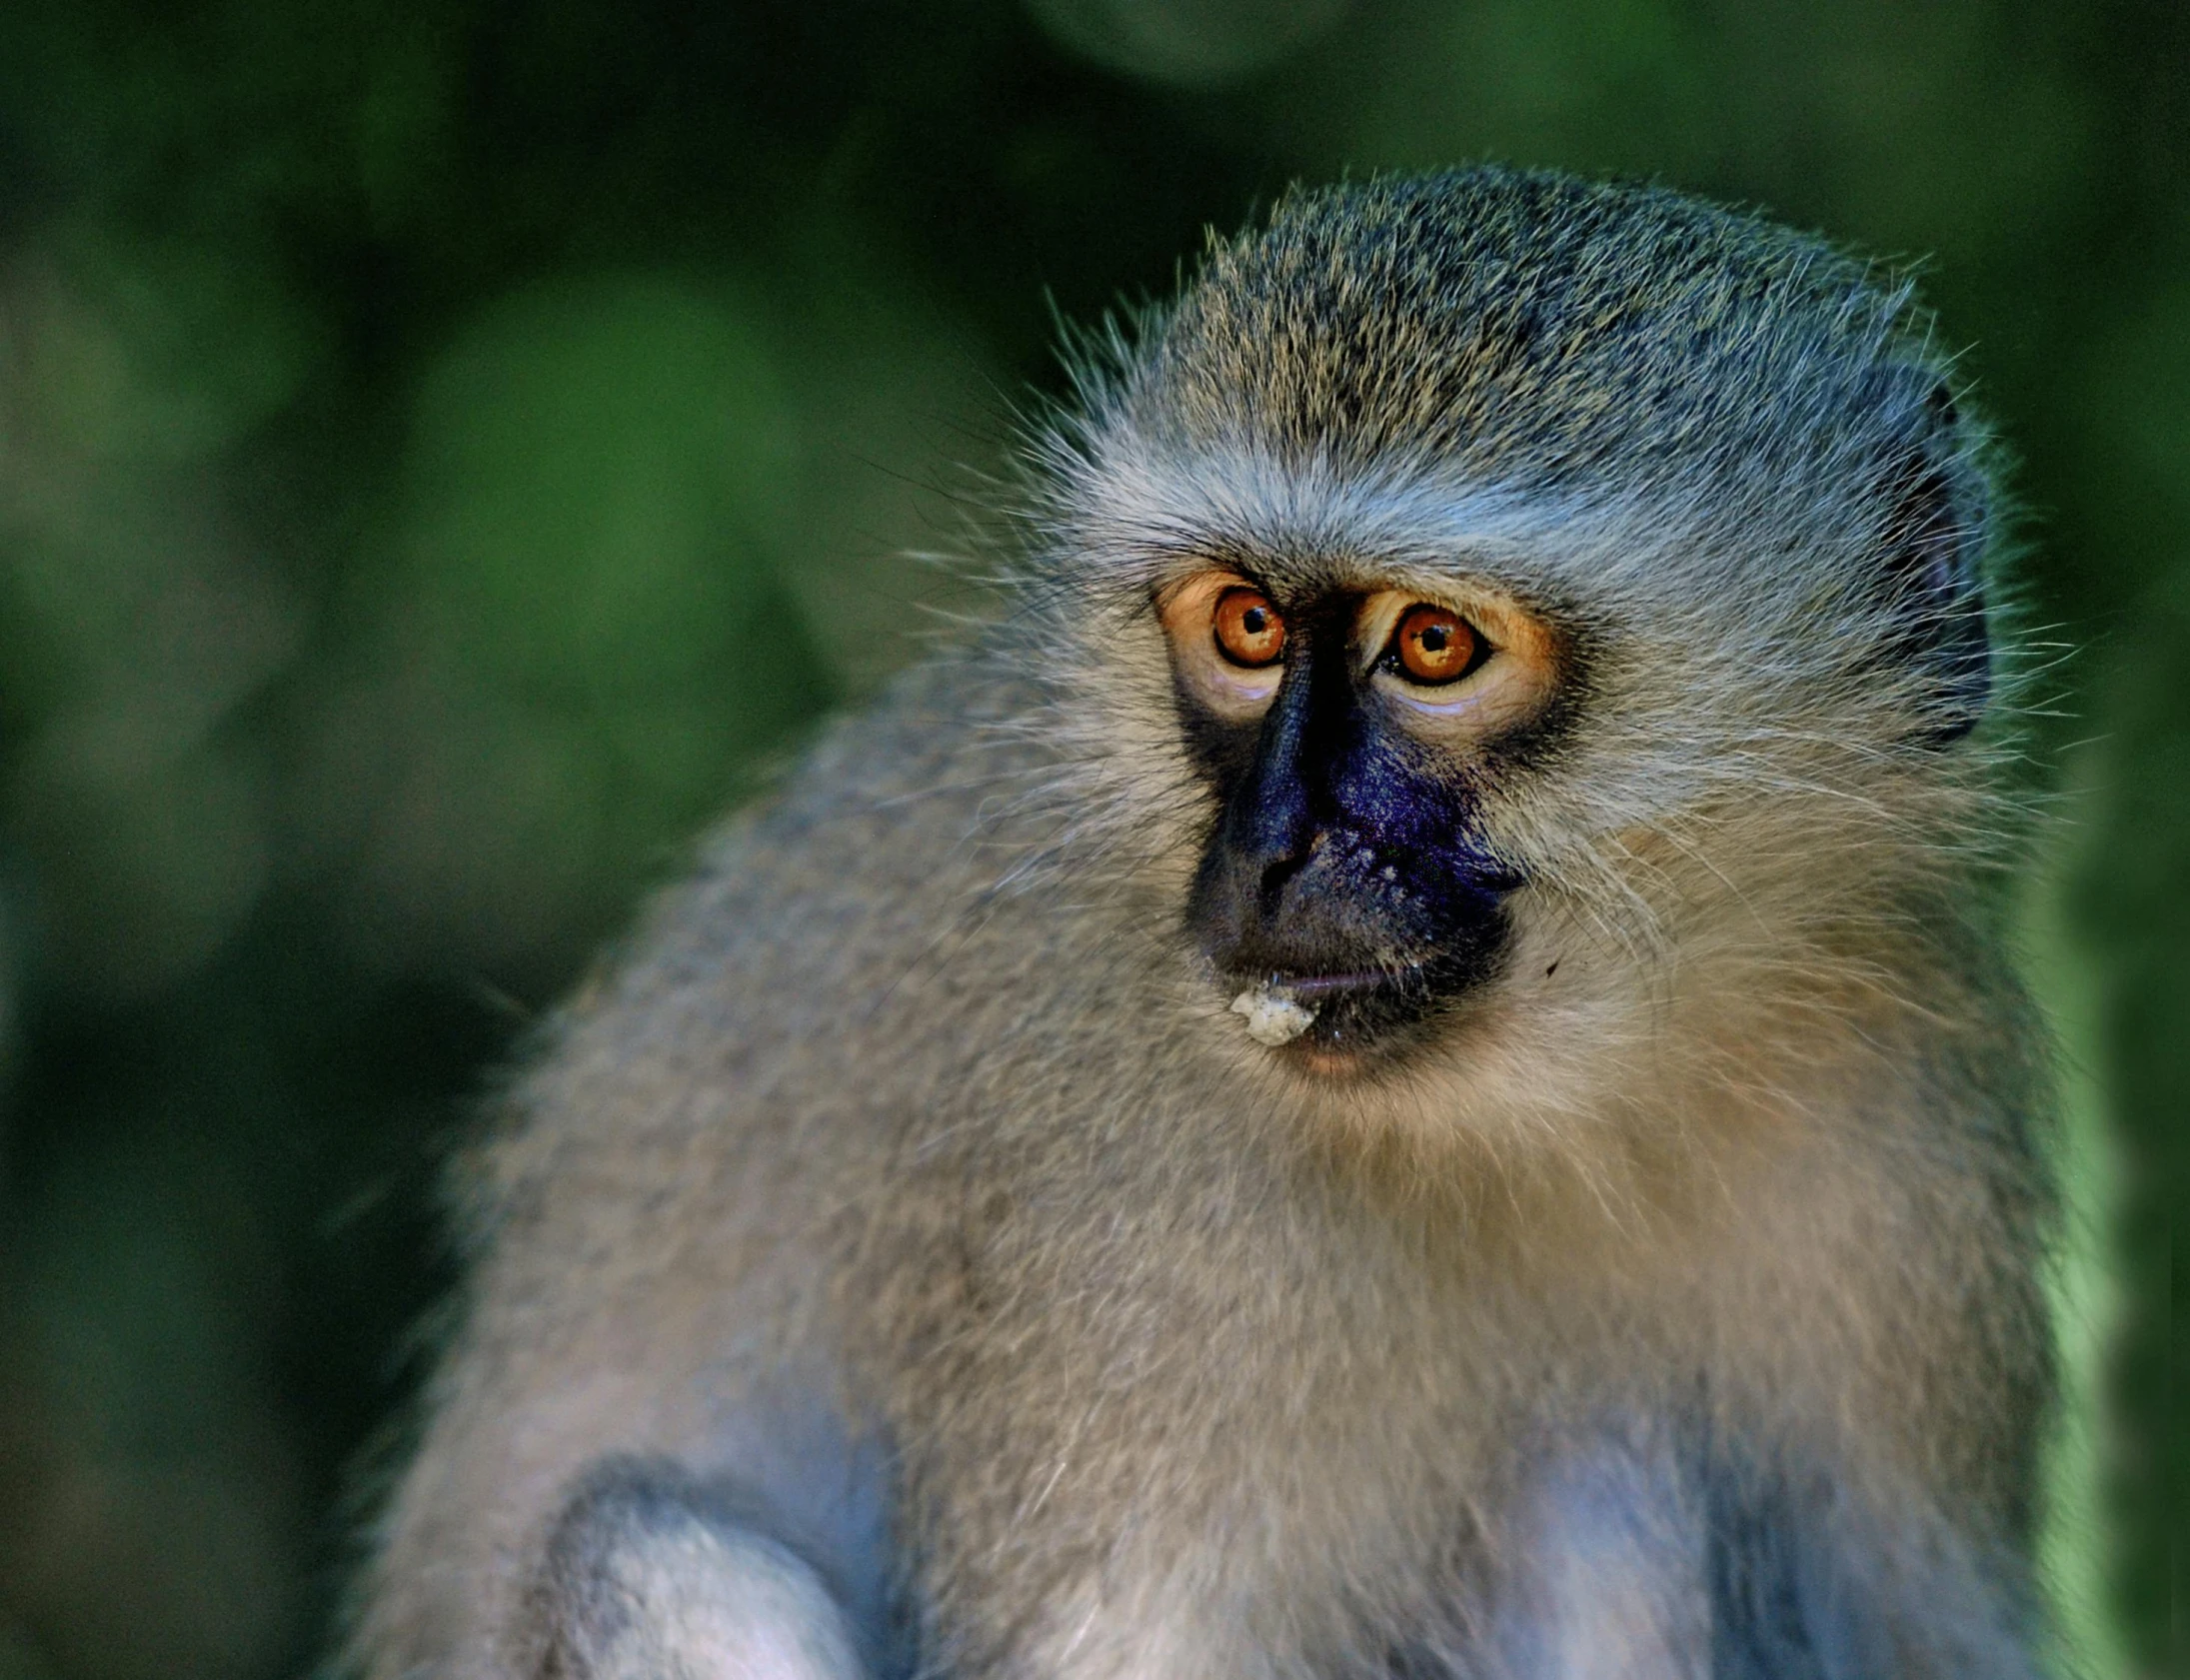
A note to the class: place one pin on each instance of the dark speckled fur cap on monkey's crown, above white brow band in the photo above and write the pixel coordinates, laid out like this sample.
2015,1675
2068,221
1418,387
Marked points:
1521,325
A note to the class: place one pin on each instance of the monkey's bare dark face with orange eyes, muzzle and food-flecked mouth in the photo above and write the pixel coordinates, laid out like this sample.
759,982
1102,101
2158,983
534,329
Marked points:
1348,737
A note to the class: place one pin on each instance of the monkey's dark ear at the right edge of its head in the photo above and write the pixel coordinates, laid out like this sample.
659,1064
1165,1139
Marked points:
1933,544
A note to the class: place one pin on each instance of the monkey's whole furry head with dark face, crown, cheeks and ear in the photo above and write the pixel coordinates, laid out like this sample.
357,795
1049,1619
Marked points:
1501,571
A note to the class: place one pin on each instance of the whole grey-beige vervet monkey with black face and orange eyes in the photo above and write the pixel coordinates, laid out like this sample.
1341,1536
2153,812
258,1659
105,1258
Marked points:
1403,1072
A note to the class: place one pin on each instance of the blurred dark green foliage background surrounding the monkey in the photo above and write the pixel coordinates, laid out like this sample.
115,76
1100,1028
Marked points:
450,450
